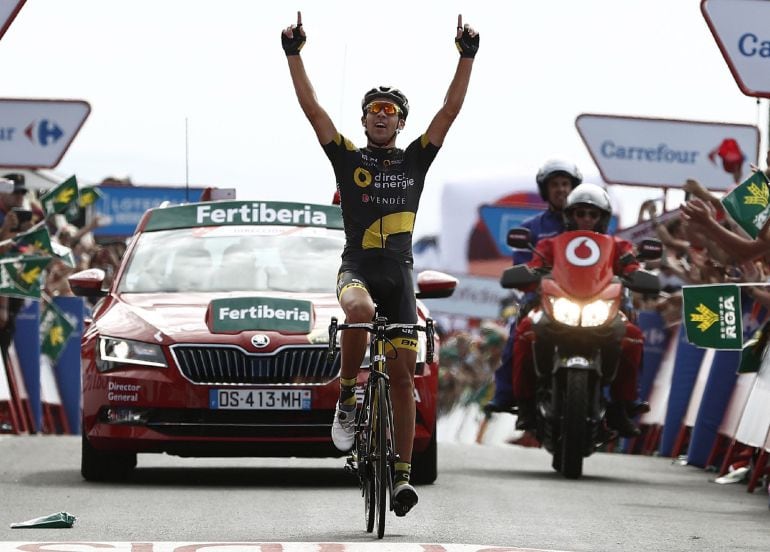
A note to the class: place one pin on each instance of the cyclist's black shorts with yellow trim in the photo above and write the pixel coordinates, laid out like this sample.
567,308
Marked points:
390,285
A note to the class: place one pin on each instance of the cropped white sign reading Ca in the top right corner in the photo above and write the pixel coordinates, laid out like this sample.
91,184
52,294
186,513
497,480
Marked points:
741,30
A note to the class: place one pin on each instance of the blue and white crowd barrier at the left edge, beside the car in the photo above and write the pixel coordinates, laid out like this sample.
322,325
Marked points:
36,394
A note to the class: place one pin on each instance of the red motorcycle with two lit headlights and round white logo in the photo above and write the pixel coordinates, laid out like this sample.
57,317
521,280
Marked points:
578,328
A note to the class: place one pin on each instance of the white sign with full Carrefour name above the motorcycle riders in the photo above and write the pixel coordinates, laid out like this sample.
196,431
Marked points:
666,152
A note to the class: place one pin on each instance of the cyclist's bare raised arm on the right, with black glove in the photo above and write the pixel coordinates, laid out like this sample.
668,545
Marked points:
467,42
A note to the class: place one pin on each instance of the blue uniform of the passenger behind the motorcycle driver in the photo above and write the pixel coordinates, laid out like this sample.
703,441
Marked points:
544,225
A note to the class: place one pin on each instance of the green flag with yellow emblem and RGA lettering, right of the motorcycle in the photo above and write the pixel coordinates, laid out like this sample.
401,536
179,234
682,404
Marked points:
712,316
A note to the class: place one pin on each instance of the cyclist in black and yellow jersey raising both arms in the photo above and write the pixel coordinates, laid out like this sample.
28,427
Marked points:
380,187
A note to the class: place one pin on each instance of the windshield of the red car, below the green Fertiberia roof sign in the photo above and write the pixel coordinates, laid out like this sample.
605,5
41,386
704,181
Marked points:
235,258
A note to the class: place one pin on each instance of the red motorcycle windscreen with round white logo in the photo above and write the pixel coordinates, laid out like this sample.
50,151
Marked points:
582,262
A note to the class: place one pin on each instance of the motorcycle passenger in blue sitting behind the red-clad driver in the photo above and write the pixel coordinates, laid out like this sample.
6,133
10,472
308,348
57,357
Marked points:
555,180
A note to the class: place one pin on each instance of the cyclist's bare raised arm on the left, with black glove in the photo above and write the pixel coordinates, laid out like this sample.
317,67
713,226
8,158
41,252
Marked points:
292,40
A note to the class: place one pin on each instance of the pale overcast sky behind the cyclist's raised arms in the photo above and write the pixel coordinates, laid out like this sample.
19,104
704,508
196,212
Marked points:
147,65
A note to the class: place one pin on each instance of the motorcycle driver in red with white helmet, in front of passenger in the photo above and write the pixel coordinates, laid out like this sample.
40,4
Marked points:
587,208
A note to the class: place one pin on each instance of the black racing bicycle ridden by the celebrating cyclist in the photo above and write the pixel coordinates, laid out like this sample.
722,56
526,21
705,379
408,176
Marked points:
373,456
